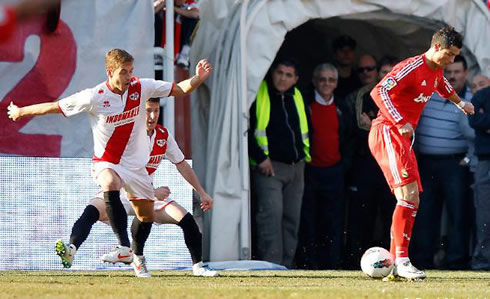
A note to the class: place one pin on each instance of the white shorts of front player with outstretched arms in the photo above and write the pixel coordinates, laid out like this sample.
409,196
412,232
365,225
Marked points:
137,183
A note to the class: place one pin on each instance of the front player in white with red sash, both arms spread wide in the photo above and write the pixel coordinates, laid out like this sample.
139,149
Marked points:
116,110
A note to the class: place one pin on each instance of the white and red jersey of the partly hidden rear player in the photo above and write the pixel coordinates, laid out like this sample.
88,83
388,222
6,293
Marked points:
163,145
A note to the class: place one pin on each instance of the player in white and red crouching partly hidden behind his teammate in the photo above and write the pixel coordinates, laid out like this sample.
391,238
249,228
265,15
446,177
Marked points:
166,211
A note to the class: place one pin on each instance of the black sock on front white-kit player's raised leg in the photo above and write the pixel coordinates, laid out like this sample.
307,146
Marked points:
117,216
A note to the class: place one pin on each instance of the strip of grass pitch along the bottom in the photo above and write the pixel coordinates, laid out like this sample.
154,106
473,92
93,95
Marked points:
238,284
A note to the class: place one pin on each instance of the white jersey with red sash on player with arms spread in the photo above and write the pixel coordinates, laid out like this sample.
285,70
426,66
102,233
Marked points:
118,121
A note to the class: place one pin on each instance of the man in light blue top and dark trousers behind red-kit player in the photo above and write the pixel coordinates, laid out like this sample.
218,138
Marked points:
442,141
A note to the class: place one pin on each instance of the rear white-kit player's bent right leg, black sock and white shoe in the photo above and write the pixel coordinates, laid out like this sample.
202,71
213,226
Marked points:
173,213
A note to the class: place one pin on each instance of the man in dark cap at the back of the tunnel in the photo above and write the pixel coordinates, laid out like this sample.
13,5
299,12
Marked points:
344,51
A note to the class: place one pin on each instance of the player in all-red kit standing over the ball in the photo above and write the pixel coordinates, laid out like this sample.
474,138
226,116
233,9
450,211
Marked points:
401,96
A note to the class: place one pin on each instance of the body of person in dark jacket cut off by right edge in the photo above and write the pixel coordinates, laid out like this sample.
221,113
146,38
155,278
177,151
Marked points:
480,121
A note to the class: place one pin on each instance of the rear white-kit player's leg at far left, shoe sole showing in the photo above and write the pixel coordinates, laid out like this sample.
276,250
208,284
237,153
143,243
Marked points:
94,211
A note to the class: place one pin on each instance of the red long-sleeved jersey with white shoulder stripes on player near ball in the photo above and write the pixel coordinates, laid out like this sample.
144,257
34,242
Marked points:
403,93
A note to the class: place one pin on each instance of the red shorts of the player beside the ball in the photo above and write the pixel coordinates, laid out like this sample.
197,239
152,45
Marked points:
394,155
